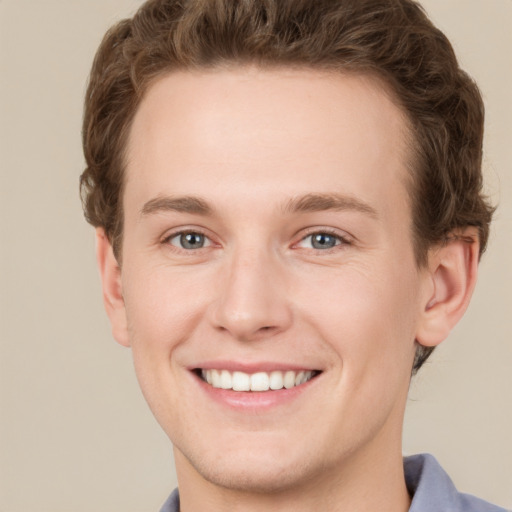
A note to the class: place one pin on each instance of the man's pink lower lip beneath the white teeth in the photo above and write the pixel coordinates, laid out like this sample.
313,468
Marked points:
254,400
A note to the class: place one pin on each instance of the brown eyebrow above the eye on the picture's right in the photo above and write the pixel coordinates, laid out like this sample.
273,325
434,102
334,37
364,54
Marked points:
321,202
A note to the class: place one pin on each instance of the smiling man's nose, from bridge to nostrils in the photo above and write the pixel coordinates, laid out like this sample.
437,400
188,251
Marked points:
252,302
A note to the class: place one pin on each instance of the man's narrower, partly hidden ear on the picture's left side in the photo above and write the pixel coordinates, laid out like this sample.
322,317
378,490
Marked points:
110,273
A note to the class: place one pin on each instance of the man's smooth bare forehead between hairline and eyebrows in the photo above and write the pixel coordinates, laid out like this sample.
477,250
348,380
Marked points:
271,130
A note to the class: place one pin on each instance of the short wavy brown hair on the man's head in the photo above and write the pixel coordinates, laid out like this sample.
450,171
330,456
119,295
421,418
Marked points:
392,39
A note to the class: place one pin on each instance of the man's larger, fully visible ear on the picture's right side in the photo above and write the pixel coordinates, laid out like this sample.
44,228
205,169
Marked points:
452,272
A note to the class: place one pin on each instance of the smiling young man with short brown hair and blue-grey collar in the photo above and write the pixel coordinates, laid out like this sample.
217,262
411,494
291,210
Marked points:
289,216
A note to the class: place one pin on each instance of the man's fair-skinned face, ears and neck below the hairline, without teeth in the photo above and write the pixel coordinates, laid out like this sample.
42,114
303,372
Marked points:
291,186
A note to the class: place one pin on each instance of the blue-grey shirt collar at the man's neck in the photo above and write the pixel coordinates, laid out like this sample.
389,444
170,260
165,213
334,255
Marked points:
430,487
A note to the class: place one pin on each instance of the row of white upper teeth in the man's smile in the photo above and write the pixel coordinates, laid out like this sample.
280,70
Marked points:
260,381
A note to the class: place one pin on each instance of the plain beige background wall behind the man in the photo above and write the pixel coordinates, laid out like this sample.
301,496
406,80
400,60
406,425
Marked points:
75,433
